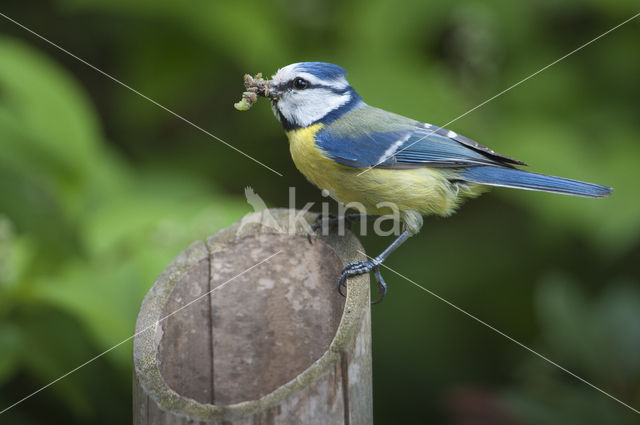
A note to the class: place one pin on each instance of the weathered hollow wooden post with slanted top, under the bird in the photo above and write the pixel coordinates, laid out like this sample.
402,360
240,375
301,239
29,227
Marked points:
274,343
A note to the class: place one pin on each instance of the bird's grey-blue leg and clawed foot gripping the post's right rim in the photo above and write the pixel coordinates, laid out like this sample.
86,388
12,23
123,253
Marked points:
412,224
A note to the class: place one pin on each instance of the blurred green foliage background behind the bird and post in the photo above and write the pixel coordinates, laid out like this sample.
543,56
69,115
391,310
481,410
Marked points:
100,189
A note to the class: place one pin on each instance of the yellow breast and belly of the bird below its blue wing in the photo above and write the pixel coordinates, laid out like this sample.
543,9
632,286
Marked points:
426,190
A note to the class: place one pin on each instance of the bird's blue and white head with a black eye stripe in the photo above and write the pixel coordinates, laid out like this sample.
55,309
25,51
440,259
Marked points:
309,92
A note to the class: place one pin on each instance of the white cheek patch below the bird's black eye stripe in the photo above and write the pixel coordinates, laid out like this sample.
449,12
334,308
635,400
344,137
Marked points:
305,107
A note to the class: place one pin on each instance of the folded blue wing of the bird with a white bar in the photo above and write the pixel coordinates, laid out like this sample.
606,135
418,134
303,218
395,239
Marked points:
419,145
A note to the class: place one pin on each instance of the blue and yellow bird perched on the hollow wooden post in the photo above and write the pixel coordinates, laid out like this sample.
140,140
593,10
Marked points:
360,153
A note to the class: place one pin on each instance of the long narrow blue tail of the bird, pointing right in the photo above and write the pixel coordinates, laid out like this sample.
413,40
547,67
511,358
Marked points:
519,179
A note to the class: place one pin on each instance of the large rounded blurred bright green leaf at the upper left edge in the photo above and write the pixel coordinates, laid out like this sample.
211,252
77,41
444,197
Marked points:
46,123
